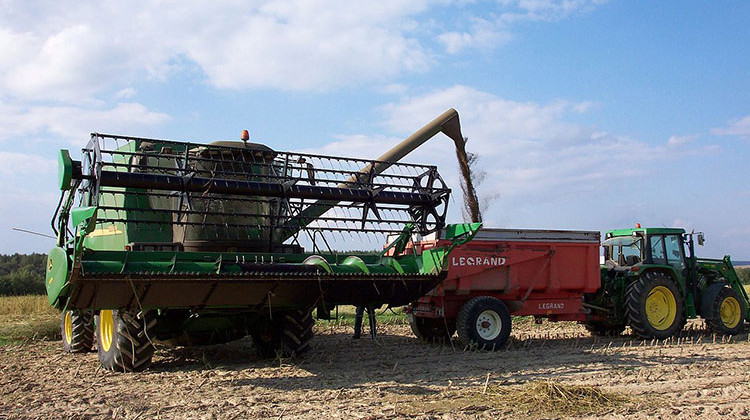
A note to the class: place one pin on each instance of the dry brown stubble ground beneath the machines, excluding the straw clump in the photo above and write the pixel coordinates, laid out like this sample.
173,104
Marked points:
396,376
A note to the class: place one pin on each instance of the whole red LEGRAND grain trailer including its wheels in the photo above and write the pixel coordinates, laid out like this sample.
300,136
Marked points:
503,272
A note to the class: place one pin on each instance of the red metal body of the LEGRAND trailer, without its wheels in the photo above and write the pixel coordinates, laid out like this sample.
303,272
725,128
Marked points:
544,273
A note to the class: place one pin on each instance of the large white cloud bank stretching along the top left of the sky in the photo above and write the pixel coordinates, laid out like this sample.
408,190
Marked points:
70,51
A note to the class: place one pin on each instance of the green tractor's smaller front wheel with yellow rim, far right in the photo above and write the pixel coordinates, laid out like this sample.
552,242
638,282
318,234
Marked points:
722,309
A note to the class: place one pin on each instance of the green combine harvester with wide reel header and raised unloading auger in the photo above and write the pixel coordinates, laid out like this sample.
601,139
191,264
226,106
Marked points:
197,244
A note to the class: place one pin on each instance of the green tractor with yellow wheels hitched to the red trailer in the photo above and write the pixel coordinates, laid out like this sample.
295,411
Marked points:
653,282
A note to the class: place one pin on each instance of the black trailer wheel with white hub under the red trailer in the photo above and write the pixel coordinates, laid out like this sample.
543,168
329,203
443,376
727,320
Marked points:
484,323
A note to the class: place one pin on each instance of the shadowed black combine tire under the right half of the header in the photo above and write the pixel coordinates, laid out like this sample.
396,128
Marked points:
288,335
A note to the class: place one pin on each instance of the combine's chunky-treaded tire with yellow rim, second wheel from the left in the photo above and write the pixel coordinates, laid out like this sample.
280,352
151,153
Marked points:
124,340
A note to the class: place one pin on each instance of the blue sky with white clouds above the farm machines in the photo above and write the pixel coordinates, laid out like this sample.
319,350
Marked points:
585,114
